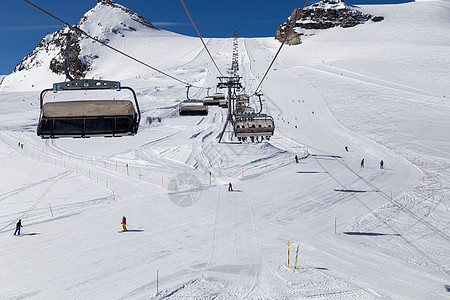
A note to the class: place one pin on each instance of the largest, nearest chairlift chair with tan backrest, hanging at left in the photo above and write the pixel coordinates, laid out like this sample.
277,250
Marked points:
88,118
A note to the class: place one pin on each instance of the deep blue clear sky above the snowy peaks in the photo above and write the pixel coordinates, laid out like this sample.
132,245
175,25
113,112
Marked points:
22,26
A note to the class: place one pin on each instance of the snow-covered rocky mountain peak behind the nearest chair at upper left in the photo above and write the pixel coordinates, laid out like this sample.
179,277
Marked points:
105,21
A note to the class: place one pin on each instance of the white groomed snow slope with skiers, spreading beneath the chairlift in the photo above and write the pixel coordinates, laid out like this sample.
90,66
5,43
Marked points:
363,233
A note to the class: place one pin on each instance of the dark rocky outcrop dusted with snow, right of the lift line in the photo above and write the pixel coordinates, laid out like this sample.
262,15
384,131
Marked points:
323,15
